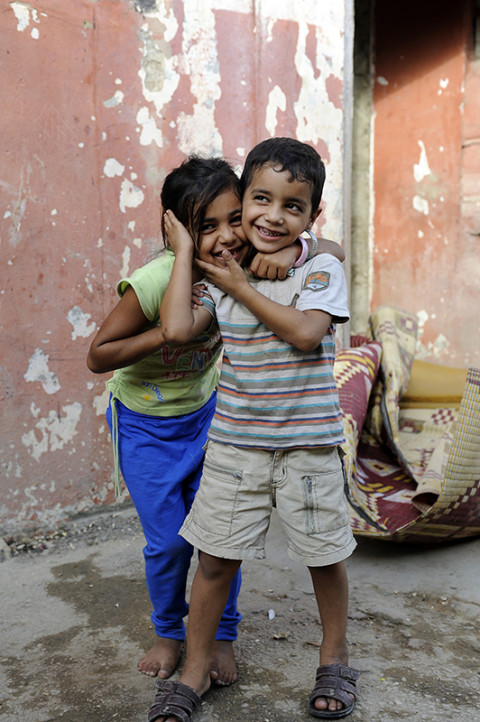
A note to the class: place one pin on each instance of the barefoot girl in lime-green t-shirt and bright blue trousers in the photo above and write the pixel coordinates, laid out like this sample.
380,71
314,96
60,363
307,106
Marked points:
162,401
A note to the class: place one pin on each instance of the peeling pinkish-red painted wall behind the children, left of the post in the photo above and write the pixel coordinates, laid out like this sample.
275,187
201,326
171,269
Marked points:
100,100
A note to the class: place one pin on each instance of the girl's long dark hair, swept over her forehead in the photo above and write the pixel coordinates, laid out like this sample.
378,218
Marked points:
189,189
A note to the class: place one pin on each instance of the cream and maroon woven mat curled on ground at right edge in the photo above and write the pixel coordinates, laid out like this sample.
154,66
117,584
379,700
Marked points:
416,475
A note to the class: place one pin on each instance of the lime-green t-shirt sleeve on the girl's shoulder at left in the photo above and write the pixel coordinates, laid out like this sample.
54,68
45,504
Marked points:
149,283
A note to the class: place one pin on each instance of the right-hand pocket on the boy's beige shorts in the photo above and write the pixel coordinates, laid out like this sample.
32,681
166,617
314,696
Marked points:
324,500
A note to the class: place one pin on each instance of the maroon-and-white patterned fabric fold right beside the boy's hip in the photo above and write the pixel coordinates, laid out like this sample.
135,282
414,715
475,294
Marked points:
355,372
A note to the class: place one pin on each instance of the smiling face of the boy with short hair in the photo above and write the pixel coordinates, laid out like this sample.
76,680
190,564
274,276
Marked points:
276,209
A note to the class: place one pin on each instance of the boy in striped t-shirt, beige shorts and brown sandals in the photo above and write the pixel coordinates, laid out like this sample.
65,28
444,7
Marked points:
277,426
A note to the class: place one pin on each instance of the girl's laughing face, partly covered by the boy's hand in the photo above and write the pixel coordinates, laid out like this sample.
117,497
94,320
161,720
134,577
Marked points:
221,230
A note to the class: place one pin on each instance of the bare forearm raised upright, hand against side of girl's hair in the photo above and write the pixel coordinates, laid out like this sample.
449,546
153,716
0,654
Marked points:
179,321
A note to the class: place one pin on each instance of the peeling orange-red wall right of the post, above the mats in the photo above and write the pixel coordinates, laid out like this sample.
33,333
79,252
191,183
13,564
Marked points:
426,145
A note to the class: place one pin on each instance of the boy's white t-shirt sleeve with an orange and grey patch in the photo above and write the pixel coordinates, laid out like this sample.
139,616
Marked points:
324,288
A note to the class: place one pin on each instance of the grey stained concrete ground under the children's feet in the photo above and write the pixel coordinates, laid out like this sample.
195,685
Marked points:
75,620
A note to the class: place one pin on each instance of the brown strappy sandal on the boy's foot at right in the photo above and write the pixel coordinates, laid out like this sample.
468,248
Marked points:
336,681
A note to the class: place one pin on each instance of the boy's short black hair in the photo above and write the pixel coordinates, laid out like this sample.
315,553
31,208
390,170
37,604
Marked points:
287,154
